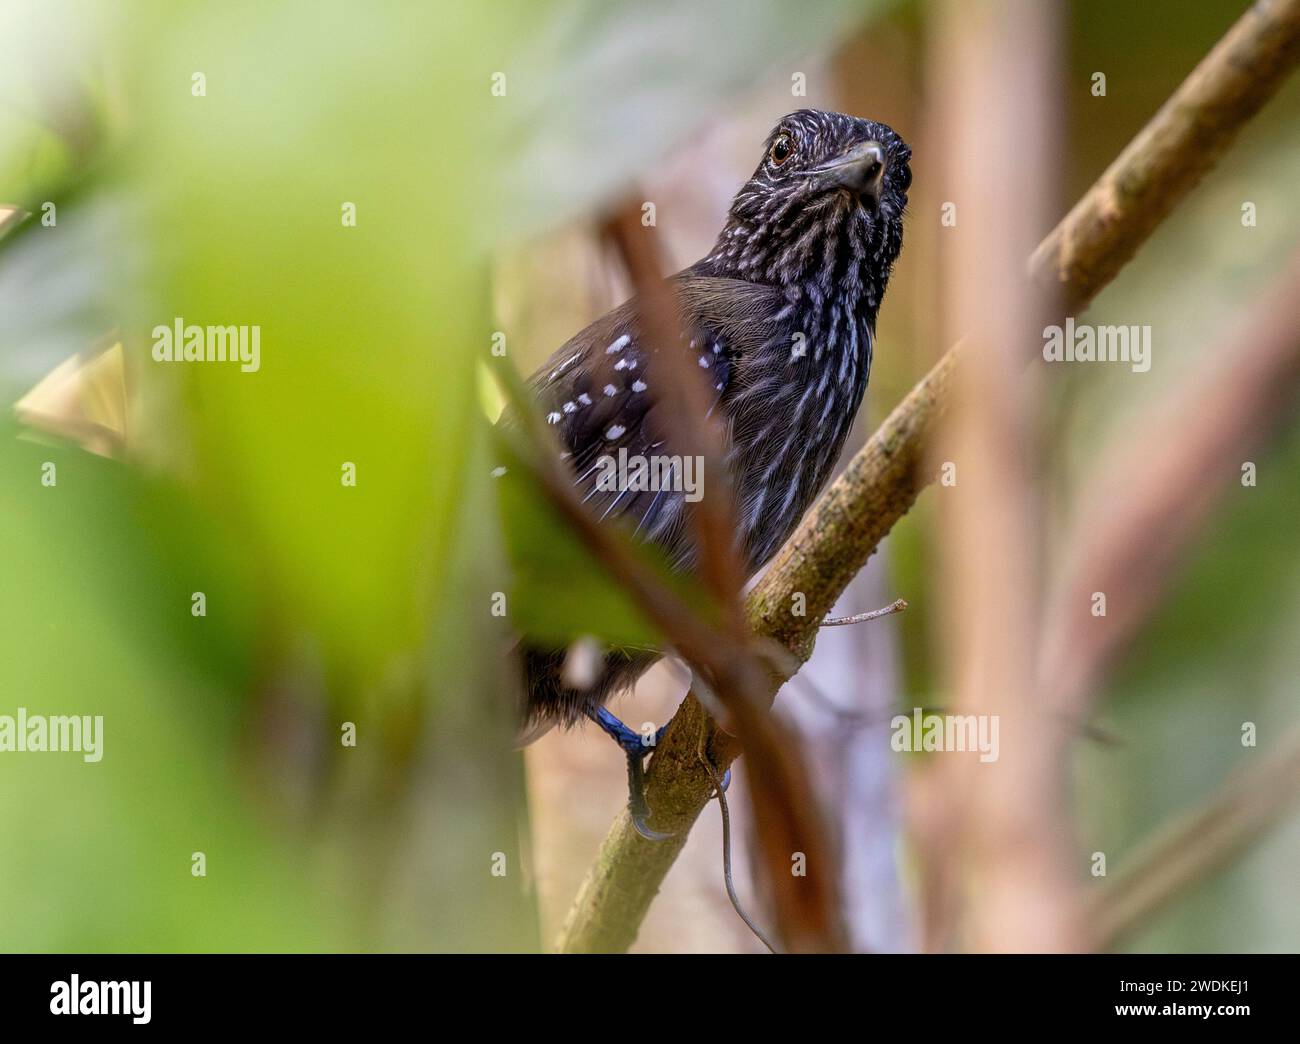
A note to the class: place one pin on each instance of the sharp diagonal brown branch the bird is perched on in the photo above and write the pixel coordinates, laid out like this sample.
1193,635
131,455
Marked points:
885,479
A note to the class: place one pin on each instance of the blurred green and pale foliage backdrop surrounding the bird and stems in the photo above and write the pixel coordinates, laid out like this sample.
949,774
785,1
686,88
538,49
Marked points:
384,192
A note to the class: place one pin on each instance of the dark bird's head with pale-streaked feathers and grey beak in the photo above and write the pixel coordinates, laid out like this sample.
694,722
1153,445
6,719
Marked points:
829,189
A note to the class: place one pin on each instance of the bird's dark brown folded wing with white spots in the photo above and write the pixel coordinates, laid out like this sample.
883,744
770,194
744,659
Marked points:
599,393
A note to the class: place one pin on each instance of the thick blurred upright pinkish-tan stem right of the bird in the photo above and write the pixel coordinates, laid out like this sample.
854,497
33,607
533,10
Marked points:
995,835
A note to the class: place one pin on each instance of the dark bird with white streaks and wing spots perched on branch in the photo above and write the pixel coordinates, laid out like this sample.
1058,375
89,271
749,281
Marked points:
781,318
